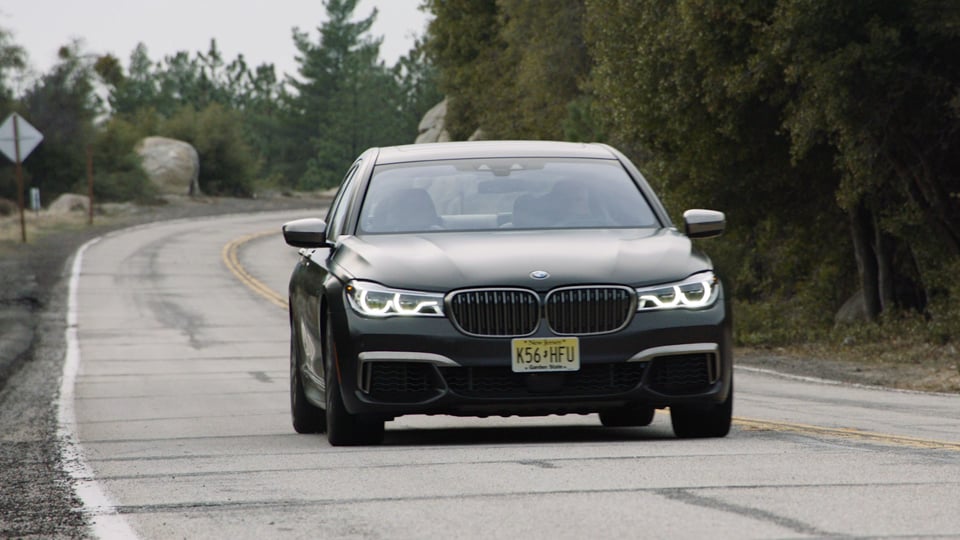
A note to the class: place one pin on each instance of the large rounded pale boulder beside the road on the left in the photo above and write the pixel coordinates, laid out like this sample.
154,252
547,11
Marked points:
173,166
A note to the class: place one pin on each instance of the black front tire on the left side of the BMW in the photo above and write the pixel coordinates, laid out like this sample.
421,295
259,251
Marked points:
343,428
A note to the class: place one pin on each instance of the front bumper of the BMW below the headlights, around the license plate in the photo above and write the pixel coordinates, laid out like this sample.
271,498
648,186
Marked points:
424,365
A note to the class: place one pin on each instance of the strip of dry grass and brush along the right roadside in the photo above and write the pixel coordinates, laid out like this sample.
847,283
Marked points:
903,349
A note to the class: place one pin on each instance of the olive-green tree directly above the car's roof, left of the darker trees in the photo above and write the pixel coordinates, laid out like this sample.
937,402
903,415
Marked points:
512,68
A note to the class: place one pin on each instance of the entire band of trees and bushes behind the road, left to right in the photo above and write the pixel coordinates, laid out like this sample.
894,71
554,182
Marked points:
827,131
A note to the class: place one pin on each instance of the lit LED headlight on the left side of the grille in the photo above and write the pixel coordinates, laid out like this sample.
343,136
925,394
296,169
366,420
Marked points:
373,300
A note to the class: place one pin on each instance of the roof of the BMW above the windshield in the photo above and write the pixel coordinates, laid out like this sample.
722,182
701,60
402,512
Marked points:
491,149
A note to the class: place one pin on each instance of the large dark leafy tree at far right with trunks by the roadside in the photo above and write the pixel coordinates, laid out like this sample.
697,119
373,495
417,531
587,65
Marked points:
801,119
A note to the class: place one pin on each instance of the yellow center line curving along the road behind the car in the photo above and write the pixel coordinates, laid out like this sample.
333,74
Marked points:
230,258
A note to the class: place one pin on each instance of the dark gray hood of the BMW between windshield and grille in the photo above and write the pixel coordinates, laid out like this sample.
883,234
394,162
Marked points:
451,260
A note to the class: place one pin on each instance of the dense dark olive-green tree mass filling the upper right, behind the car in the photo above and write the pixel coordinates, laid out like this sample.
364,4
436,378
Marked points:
827,131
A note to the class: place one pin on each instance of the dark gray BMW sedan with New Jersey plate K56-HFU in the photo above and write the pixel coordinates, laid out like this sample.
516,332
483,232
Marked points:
504,278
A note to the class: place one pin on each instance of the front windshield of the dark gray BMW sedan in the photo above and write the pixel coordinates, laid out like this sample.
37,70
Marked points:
496,194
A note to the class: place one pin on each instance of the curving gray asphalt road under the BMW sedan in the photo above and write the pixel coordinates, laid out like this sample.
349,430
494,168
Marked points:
175,408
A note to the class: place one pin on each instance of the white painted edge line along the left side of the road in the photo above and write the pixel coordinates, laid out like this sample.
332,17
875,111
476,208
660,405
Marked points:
105,521
